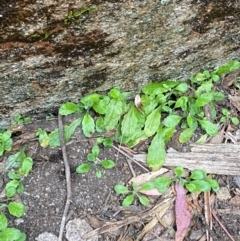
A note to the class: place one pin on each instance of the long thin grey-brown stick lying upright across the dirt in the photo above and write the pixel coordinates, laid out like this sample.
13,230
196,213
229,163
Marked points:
67,176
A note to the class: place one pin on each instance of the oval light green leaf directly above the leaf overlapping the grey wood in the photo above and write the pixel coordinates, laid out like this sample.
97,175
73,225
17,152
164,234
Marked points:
152,123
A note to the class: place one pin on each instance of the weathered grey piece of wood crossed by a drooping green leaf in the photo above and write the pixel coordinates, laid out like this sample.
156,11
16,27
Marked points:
222,159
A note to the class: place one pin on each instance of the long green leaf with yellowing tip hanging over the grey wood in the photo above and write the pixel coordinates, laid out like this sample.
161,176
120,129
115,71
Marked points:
156,152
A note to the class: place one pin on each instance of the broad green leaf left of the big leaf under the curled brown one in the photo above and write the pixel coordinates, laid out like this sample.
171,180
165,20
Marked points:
113,113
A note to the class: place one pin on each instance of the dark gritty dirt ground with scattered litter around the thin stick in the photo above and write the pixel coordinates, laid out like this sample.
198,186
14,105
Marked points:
94,198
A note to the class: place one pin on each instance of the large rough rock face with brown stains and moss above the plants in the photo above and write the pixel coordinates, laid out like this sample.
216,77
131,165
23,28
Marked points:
52,51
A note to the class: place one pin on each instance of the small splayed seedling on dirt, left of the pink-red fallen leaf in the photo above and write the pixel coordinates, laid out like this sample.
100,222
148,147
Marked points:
131,194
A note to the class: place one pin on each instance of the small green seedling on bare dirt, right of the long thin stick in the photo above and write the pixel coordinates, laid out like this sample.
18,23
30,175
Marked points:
94,160
